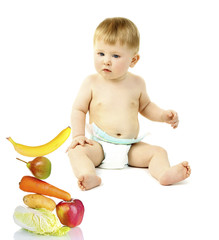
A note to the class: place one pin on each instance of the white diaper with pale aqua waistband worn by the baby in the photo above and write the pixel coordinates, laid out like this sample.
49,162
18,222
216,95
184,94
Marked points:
115,149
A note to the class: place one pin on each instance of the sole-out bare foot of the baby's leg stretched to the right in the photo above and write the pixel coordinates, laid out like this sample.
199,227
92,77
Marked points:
176,174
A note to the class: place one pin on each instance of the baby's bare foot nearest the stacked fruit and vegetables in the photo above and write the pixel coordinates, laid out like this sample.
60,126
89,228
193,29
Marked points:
88,181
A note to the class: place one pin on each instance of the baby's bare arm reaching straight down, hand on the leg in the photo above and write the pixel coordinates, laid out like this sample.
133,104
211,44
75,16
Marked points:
78,115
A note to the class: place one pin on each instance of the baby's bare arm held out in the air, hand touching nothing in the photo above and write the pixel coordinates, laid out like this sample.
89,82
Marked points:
151,111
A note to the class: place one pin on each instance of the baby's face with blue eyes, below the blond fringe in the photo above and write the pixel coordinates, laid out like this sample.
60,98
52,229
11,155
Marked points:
112,61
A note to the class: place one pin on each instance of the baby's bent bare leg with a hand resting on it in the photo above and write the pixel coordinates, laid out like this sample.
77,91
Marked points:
83,160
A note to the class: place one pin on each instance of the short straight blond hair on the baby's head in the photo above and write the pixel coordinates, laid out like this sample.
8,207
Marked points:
119,29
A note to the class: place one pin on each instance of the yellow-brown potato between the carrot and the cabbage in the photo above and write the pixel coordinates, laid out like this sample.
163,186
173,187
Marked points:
39,201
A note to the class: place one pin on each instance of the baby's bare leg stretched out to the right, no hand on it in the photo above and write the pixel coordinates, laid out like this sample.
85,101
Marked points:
156,159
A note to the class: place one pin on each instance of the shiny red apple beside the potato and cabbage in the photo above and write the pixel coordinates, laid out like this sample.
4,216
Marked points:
70,213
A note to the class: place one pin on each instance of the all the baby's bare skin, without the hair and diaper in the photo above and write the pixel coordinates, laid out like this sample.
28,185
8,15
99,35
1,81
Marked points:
113,98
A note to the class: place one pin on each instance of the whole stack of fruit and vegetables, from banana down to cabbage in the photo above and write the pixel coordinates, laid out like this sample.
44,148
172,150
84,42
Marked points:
37,216
